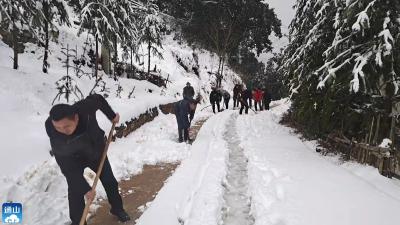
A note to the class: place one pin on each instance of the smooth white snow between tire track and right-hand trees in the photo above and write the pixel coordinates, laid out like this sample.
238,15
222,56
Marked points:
292,184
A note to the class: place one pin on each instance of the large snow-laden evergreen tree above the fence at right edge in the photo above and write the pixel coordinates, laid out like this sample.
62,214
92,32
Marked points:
341,64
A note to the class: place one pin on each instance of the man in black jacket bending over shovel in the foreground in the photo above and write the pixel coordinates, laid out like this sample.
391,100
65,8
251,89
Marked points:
78,142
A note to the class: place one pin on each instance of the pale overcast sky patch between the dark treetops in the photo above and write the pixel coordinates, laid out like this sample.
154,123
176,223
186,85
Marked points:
285,12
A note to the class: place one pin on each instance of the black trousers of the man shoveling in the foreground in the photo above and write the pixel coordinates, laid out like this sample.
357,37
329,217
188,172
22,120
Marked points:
110,184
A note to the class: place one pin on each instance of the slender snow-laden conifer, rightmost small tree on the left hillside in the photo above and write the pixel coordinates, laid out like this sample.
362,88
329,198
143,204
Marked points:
151,31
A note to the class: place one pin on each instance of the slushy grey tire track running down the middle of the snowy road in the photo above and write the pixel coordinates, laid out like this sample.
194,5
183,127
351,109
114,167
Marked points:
237,202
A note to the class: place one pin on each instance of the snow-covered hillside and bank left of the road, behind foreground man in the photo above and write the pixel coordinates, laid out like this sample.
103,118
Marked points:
30,175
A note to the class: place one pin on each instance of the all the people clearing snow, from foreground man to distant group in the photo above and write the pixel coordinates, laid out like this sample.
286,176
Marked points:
78,142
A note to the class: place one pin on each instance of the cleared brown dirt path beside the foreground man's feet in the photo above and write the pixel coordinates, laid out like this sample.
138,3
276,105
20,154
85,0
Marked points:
140,189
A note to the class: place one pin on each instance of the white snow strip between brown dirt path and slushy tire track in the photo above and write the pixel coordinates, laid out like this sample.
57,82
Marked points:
194,193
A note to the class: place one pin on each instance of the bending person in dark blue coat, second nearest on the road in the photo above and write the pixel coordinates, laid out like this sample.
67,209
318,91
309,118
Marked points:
183,115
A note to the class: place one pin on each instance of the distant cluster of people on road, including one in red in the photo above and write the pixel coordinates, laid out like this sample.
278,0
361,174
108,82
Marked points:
242,96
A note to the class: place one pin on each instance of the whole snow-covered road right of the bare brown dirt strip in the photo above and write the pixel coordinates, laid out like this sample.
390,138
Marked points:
288,182
